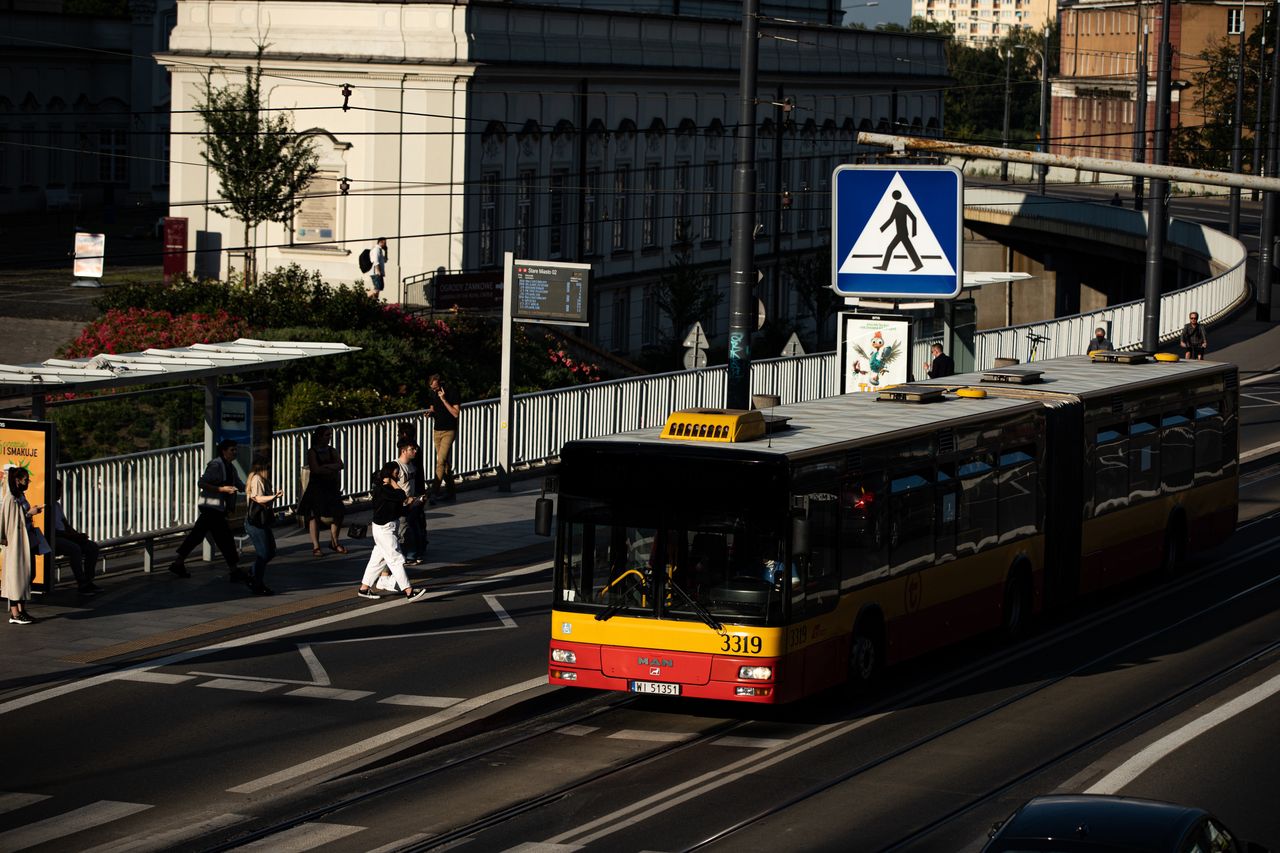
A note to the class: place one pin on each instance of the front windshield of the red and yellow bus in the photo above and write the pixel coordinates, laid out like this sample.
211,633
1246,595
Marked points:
708,568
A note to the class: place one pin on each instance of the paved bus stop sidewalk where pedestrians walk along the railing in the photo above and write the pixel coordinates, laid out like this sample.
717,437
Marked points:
138,617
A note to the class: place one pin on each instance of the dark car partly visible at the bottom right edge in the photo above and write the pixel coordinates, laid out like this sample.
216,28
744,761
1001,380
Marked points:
1100,824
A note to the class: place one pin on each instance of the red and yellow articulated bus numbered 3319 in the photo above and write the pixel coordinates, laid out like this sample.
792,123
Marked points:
764,558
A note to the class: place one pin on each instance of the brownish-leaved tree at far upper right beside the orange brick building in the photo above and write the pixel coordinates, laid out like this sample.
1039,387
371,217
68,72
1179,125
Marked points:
1209,147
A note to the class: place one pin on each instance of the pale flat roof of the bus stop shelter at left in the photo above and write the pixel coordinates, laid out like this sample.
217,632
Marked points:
177,364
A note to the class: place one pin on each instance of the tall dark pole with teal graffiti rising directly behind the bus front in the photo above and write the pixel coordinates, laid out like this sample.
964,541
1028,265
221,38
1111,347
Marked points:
743,254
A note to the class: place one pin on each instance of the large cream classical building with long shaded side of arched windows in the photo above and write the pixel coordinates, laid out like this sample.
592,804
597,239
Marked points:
550,131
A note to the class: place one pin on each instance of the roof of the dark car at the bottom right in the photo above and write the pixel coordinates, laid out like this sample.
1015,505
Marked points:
1108,823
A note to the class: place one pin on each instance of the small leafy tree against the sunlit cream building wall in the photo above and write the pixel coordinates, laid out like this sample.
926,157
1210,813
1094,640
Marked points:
260,162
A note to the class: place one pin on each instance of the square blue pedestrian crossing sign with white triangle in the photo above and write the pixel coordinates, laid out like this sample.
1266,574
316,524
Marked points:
897,231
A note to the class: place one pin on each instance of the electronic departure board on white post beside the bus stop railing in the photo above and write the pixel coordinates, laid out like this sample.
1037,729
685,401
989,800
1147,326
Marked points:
550,293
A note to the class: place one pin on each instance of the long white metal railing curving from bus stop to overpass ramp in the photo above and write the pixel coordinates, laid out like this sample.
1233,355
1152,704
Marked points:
135,496
